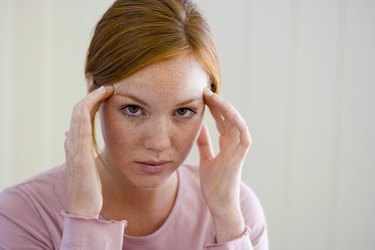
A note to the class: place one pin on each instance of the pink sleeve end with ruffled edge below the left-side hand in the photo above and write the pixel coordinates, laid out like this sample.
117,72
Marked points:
91,233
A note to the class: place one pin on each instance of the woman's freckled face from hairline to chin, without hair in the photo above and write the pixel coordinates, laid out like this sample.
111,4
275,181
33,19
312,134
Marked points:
150,123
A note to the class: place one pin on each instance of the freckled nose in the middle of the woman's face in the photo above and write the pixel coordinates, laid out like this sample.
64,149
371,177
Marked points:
158,136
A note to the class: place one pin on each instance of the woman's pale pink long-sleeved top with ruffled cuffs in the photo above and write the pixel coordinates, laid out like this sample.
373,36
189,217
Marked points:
32,217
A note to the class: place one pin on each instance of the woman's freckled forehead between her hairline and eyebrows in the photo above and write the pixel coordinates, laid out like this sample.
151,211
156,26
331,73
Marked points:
183,74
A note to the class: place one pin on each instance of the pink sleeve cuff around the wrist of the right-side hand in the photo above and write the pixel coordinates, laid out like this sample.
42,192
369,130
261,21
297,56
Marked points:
241,242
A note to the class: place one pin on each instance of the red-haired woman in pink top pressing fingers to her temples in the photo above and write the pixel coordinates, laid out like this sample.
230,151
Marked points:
151,70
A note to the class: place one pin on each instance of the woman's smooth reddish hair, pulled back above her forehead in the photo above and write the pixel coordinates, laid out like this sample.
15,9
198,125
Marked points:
134,34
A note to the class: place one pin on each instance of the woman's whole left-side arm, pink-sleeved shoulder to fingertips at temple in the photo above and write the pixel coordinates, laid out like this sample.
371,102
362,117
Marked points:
29,221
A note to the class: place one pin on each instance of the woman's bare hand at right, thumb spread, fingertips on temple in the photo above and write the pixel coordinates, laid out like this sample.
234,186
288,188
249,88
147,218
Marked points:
220,175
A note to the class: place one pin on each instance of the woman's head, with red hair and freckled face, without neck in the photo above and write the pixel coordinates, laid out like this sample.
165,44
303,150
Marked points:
161,53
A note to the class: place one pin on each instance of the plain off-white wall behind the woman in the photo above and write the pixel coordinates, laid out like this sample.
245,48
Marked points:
301,72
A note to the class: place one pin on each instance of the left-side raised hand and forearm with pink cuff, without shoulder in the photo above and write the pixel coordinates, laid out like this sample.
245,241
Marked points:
82,227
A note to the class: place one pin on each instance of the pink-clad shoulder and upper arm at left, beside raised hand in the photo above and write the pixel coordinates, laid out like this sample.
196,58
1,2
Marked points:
31,211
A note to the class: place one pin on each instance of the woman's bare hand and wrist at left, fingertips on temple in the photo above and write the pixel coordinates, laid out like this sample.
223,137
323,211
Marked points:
84,186
